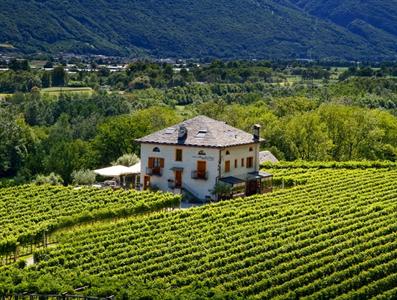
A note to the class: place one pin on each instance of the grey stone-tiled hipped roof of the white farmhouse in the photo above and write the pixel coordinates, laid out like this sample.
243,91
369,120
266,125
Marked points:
201,131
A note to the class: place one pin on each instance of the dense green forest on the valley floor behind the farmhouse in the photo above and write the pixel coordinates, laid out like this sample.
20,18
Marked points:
307,111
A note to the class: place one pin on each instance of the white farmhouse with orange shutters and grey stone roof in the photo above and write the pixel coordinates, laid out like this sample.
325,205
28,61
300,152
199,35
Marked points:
195,155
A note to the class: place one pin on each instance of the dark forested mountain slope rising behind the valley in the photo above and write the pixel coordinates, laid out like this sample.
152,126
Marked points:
203,28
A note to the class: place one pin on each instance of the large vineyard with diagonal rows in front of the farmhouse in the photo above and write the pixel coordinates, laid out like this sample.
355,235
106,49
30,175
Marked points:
334,235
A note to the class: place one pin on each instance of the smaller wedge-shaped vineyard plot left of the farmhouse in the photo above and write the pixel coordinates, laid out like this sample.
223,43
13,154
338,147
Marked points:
28,212
